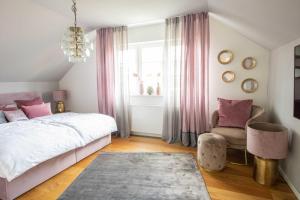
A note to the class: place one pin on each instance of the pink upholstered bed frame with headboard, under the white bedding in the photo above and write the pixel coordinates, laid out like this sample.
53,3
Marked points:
49,168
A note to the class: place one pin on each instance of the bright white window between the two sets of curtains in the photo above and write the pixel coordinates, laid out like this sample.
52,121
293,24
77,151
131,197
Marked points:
145,62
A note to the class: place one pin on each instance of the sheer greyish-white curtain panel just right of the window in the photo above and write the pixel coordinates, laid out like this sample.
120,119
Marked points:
172,59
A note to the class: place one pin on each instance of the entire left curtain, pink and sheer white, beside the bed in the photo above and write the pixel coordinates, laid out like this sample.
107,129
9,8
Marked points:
112,76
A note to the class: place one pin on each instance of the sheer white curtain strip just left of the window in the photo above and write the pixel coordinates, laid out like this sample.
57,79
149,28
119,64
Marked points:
121,81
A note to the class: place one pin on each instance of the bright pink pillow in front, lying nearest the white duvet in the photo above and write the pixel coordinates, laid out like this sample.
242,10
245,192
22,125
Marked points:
37,110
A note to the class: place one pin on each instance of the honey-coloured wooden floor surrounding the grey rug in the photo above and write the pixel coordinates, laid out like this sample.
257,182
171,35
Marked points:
233,183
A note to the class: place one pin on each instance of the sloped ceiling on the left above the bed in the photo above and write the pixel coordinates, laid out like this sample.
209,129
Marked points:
29,41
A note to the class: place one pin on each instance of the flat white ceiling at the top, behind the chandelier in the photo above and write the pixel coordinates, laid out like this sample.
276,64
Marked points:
99,13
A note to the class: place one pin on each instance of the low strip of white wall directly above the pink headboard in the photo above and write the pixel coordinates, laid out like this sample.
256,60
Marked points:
44,88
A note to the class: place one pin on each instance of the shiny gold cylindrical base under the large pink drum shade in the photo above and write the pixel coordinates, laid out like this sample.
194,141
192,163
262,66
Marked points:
265,171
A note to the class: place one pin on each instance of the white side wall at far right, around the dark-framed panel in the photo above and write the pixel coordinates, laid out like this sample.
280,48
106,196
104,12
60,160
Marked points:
281,109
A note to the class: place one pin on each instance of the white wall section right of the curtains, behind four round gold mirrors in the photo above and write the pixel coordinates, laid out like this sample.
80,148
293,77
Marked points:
223,37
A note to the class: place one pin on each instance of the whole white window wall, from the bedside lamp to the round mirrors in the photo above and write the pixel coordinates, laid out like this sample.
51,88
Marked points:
147,115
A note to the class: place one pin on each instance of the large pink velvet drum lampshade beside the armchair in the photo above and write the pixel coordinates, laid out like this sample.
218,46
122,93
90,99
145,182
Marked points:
267,140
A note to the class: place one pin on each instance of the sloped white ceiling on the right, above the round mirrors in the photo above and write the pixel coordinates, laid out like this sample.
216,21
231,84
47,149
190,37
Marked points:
270,23
